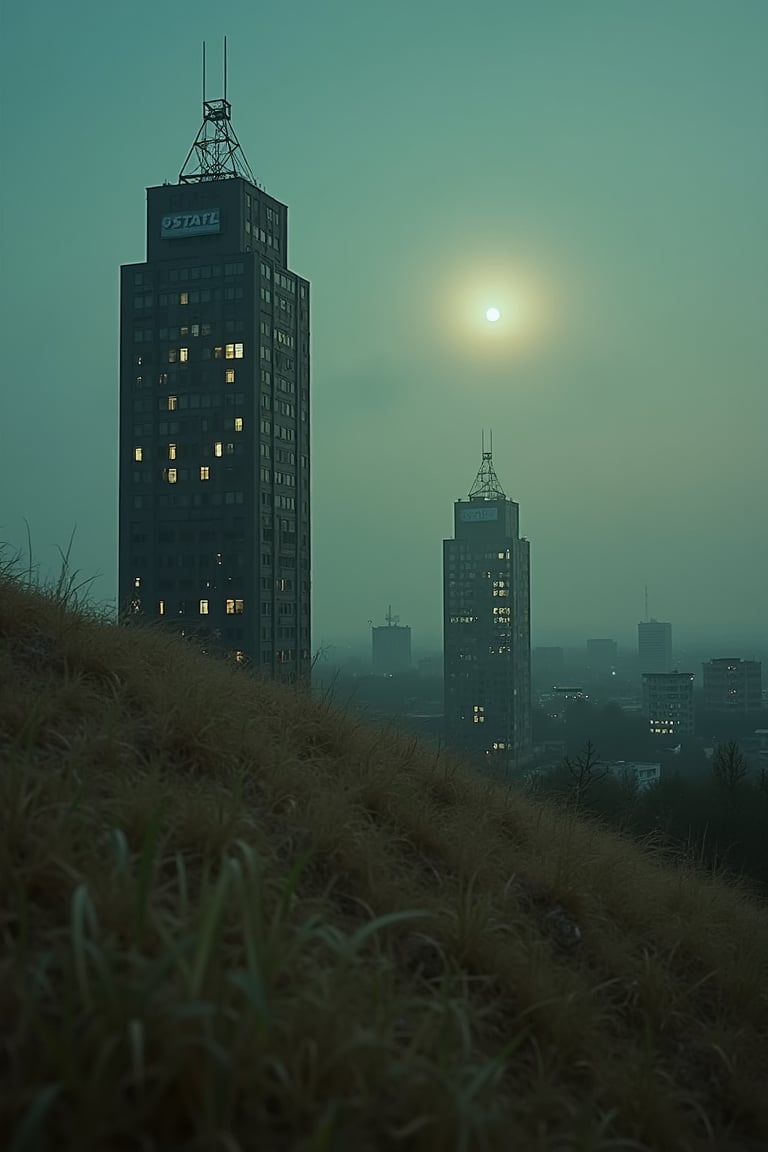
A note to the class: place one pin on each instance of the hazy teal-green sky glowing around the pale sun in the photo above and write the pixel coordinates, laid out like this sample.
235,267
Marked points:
597,169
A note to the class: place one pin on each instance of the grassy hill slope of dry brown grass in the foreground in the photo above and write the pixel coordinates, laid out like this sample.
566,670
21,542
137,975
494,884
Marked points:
232,919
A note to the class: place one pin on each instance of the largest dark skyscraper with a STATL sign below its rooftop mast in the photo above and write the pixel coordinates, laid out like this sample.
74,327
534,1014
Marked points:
215,414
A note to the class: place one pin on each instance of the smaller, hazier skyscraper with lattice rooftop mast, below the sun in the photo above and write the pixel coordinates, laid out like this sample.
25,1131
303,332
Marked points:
488,625
